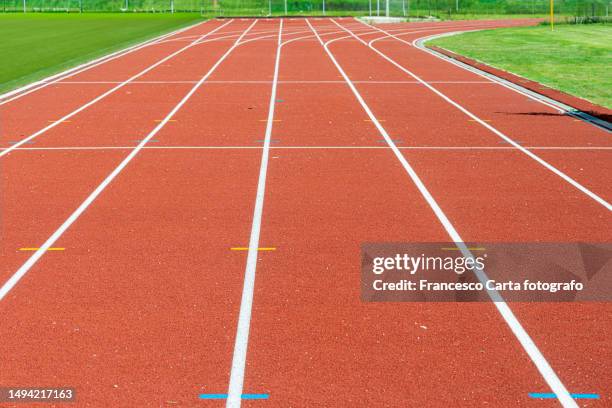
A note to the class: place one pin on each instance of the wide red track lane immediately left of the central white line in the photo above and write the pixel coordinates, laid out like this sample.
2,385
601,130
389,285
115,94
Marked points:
148,297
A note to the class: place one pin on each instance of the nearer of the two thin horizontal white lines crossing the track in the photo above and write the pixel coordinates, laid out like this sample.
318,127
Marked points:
196,147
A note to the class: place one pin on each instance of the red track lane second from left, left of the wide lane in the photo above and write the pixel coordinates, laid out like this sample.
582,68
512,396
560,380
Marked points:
61,179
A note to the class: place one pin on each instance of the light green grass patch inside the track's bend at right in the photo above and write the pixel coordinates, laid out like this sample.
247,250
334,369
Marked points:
576,59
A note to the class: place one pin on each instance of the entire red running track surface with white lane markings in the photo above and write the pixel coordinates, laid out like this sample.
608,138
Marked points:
232,141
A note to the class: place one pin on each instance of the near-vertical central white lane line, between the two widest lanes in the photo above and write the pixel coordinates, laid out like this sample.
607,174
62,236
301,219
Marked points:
246,303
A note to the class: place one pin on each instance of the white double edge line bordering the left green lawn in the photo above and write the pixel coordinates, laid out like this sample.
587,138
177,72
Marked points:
35,86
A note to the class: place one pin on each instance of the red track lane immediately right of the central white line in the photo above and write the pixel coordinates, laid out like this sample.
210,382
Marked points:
351,352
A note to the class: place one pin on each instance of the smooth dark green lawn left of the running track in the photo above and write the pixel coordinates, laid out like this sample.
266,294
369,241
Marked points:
34,46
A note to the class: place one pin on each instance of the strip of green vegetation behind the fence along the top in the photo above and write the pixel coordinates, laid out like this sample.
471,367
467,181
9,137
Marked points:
446,9
